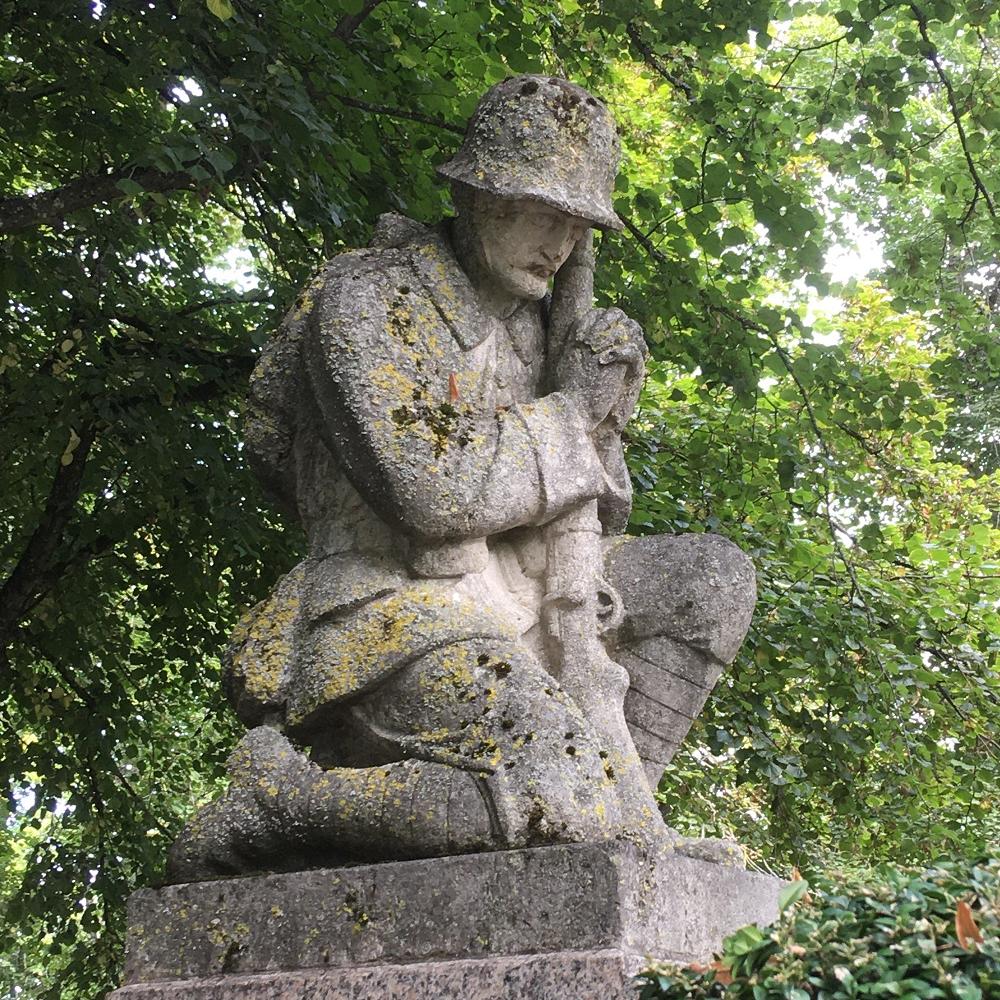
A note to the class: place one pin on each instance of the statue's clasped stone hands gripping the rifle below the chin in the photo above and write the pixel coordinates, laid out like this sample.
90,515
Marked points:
603,364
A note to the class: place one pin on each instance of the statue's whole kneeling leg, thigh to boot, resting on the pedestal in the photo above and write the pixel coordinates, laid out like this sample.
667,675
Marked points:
489,753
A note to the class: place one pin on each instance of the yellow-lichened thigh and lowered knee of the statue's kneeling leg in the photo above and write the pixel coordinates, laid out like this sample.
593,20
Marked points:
490,709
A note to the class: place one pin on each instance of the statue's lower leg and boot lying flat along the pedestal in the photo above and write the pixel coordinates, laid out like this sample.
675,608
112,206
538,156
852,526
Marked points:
284,812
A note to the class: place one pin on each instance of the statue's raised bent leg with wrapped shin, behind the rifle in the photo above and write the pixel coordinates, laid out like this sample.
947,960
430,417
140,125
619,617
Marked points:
688,601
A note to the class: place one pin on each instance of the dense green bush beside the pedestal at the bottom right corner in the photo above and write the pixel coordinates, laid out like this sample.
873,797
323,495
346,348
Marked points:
912,936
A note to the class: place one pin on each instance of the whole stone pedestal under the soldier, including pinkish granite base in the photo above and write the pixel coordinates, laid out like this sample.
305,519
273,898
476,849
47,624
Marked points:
549,922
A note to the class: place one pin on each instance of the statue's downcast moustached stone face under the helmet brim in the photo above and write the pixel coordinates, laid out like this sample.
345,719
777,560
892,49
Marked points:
525,242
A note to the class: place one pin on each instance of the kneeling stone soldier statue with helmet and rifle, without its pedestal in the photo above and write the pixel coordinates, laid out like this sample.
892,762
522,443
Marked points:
471,657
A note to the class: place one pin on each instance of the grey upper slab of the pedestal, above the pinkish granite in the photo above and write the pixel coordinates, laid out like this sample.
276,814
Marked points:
587,898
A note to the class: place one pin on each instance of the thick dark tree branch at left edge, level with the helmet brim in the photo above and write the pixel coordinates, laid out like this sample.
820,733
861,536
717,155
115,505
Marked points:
26,212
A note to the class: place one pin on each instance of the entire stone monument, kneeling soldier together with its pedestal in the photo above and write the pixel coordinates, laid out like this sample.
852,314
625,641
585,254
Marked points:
468,664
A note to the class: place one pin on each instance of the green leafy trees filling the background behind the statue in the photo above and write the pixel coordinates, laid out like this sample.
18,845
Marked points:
849,442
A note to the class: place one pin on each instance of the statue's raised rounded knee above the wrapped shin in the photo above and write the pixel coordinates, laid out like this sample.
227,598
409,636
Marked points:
696,589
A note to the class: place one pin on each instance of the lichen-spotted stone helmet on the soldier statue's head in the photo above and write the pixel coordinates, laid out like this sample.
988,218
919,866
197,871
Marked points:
543,138
